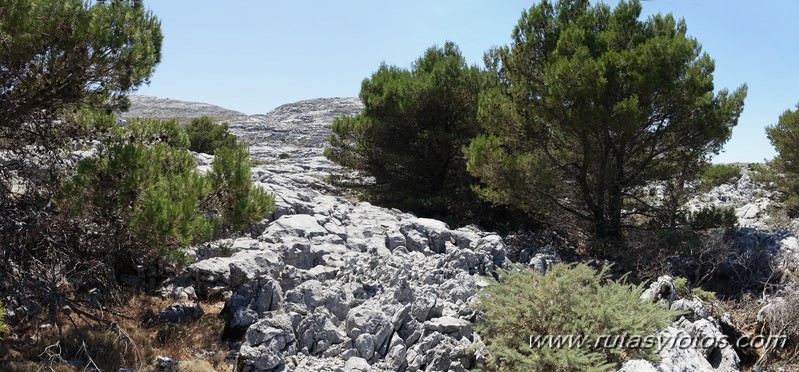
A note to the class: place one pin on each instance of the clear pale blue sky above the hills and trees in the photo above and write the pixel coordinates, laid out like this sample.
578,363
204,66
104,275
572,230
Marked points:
254,55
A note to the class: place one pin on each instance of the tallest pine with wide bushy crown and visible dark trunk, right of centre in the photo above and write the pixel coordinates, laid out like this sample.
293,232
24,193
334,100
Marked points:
592,104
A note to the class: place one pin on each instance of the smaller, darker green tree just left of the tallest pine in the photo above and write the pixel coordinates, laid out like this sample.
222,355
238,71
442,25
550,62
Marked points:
410,133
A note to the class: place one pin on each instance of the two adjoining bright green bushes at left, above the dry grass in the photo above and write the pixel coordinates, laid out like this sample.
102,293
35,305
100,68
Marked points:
143,177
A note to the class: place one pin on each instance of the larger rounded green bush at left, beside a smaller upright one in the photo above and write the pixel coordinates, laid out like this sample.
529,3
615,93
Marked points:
149,186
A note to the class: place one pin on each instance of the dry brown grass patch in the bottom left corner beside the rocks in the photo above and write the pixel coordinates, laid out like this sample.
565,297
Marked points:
126,343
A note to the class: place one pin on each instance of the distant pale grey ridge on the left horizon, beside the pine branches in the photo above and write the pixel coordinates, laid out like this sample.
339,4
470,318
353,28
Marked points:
166,108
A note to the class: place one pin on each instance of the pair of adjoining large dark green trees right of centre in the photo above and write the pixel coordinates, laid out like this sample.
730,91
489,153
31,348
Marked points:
532,133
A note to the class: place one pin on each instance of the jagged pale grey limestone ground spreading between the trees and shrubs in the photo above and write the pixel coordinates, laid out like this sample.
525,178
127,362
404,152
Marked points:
327,284
